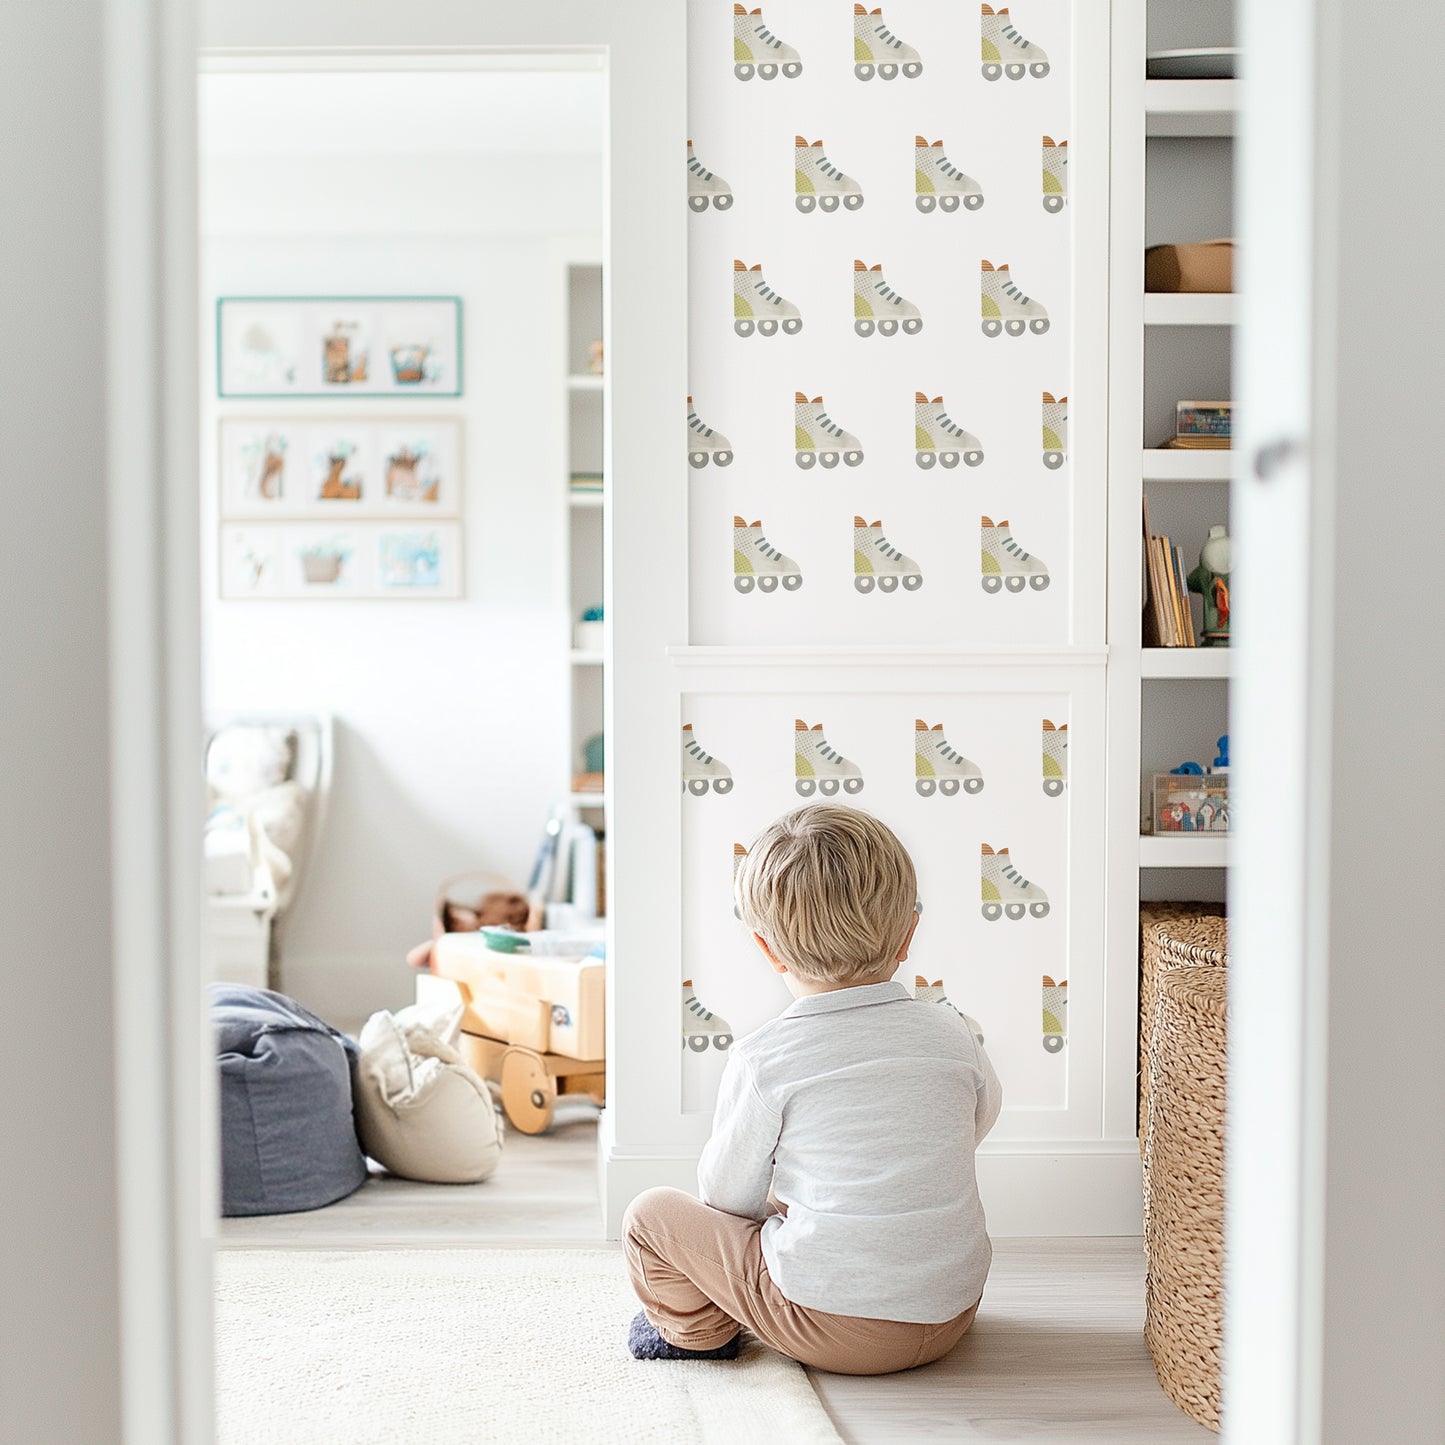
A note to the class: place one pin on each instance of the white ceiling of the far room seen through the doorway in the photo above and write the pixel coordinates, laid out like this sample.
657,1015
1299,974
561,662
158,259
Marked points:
553,112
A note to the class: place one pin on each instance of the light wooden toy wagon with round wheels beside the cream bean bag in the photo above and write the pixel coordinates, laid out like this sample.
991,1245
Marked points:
532,1024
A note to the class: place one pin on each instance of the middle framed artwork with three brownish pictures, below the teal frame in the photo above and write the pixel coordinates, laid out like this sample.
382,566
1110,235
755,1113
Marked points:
297,467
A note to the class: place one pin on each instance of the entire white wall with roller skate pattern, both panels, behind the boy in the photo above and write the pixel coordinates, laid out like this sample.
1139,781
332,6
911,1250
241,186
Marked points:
884,262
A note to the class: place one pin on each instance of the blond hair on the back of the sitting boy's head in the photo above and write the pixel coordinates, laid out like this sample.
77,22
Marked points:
832,891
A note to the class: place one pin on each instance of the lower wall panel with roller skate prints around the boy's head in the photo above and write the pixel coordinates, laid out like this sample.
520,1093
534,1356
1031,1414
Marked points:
973,778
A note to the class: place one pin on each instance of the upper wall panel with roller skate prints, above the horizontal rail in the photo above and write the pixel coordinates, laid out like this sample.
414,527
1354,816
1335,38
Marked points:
881,323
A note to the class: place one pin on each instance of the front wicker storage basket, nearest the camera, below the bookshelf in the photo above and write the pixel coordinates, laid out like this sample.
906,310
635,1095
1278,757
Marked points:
1184,1213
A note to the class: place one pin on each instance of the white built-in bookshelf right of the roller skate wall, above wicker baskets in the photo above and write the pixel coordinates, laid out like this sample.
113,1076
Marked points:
1171,183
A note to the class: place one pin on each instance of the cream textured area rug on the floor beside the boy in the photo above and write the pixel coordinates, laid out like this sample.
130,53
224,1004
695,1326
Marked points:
462,1347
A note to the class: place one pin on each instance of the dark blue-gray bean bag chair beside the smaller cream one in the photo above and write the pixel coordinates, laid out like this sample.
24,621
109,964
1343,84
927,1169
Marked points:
288,1139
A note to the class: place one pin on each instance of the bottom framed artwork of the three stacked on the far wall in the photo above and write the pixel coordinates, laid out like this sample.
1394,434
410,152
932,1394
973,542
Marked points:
400,561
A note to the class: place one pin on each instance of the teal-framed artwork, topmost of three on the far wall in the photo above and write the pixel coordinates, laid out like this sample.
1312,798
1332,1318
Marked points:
339,346
